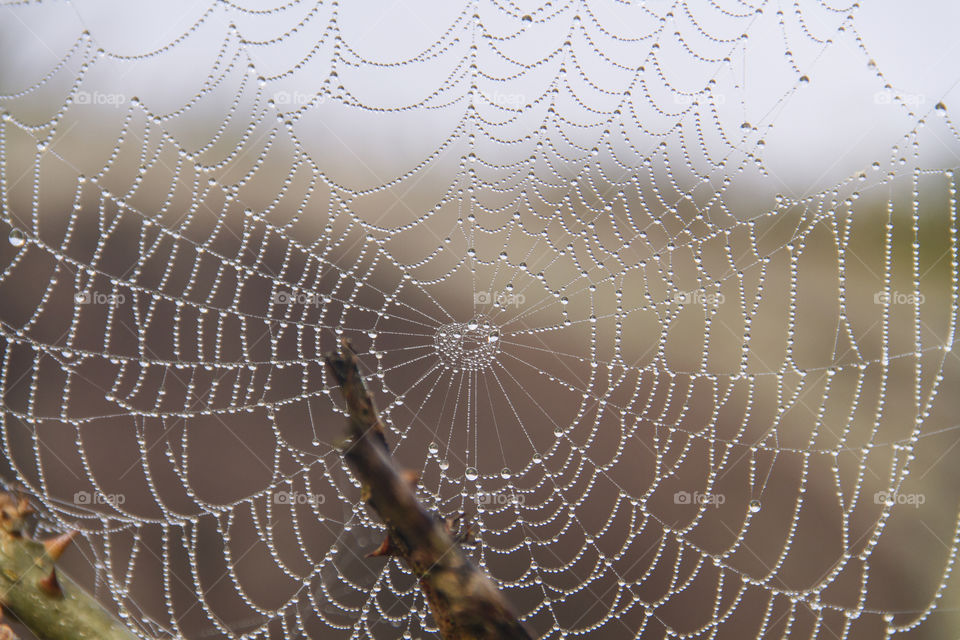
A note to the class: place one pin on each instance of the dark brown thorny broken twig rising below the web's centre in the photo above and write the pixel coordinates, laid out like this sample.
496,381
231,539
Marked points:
465,603
